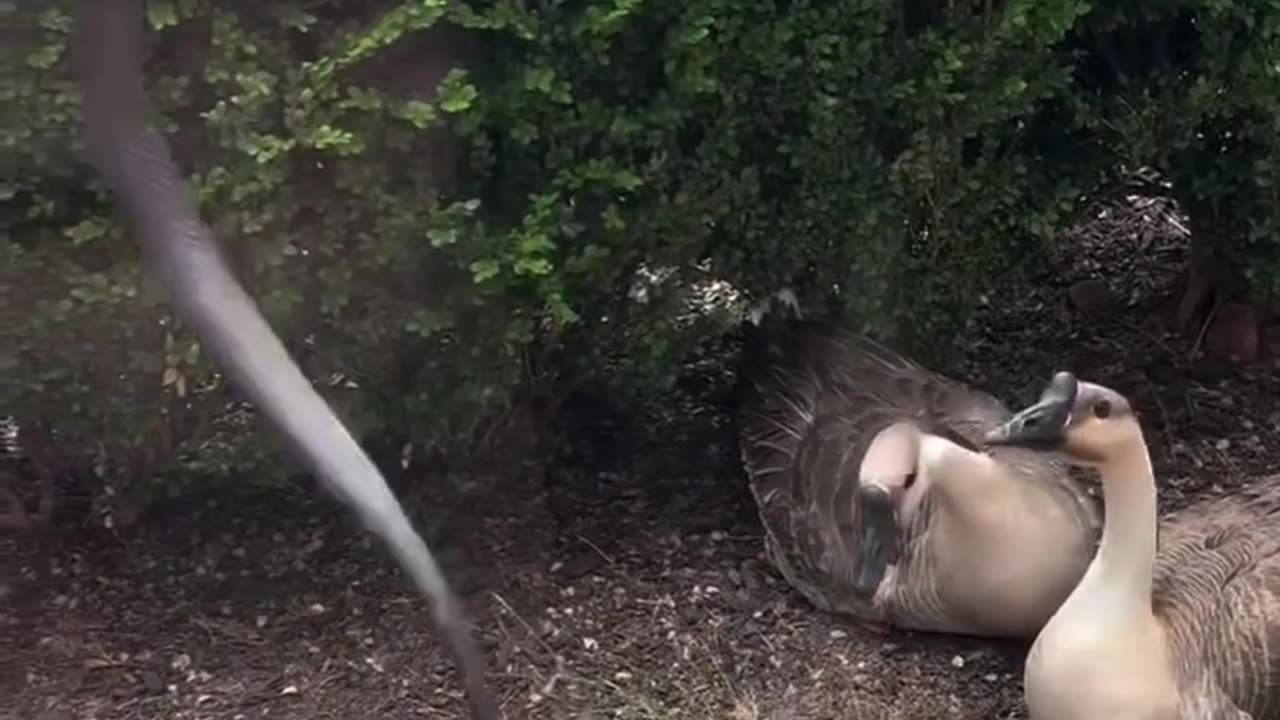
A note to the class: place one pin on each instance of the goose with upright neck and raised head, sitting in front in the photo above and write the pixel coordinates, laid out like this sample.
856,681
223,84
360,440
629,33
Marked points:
1191,632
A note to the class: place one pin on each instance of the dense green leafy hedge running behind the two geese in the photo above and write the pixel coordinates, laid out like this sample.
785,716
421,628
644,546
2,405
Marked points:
445,208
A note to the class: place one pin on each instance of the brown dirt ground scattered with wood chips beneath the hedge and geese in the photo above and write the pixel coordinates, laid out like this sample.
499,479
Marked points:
628,584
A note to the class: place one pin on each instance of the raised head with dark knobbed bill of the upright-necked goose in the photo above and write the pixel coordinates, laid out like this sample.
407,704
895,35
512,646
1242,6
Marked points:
1086,423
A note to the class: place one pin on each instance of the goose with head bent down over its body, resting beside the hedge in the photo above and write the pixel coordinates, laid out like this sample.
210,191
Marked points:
877,504
